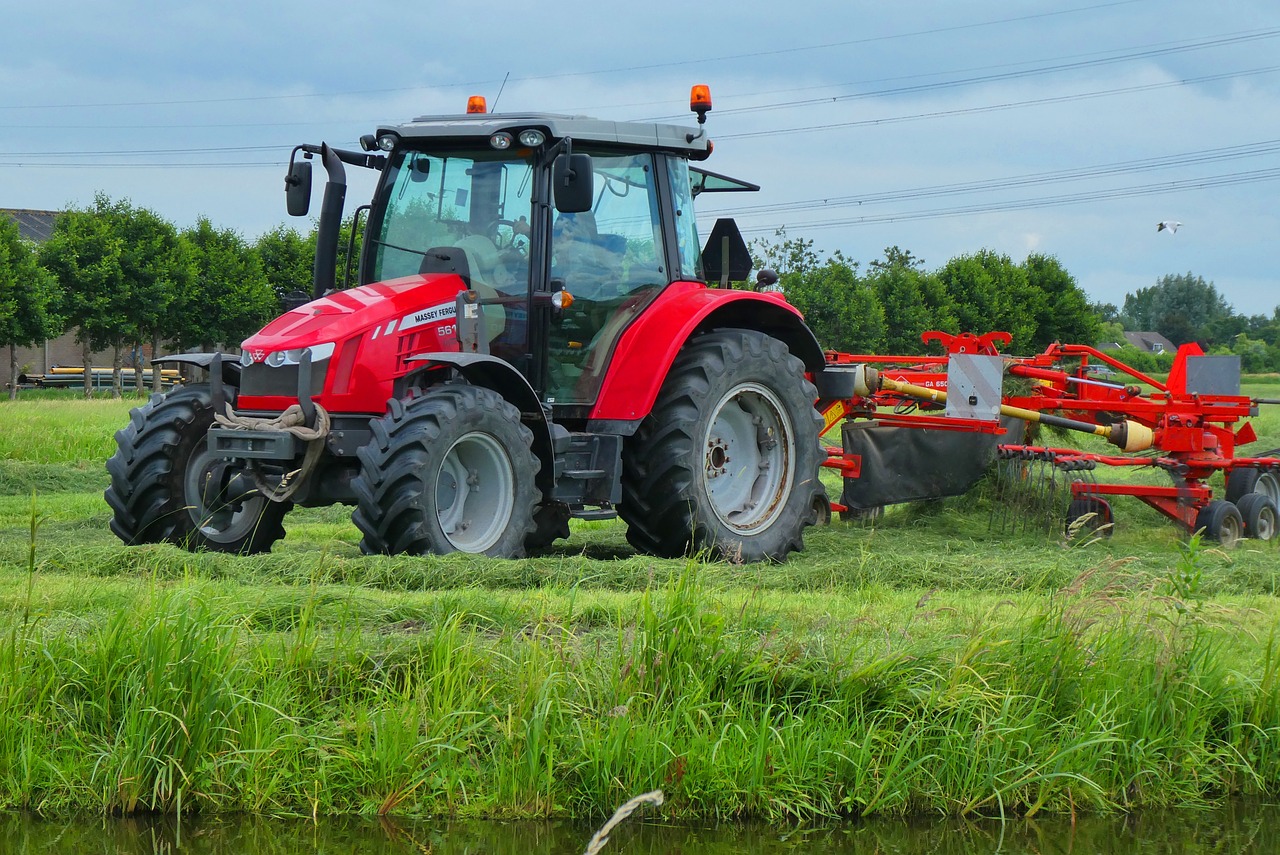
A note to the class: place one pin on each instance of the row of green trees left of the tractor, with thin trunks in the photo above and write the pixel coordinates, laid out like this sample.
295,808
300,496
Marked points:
122,277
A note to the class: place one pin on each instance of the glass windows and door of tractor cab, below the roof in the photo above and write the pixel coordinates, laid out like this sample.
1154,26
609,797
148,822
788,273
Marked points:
491,216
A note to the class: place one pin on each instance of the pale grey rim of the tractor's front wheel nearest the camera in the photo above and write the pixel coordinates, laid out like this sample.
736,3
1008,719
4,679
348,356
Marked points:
476,493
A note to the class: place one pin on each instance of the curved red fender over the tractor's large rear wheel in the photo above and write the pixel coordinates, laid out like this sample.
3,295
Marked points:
648,348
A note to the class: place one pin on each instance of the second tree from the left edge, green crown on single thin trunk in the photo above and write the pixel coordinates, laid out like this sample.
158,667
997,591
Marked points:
85,257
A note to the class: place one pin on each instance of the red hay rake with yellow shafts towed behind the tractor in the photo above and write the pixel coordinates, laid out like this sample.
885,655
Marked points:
1188,427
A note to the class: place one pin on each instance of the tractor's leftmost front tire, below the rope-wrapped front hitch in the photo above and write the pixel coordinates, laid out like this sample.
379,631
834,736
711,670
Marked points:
161,473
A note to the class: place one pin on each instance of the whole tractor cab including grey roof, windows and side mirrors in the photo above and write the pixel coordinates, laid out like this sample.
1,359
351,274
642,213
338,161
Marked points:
566,228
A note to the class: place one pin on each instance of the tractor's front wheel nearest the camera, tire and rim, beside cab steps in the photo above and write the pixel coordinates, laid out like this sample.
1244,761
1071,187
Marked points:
449,472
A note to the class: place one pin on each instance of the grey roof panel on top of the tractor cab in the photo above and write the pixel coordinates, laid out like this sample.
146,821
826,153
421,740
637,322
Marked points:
580,129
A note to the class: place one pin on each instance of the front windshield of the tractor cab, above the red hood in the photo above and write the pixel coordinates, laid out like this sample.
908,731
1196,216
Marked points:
445,207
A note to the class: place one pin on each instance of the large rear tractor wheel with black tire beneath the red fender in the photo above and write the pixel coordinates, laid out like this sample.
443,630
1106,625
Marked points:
728,461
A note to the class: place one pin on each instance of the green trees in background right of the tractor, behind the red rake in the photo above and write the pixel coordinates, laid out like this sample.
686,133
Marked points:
888,307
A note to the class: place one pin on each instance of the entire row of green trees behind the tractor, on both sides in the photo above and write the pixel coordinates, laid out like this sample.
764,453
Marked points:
122,277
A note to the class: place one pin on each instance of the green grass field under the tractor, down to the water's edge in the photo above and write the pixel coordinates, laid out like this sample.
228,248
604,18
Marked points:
924,665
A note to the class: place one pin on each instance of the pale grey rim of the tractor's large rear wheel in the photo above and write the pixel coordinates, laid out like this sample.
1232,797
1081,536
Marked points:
749,459
